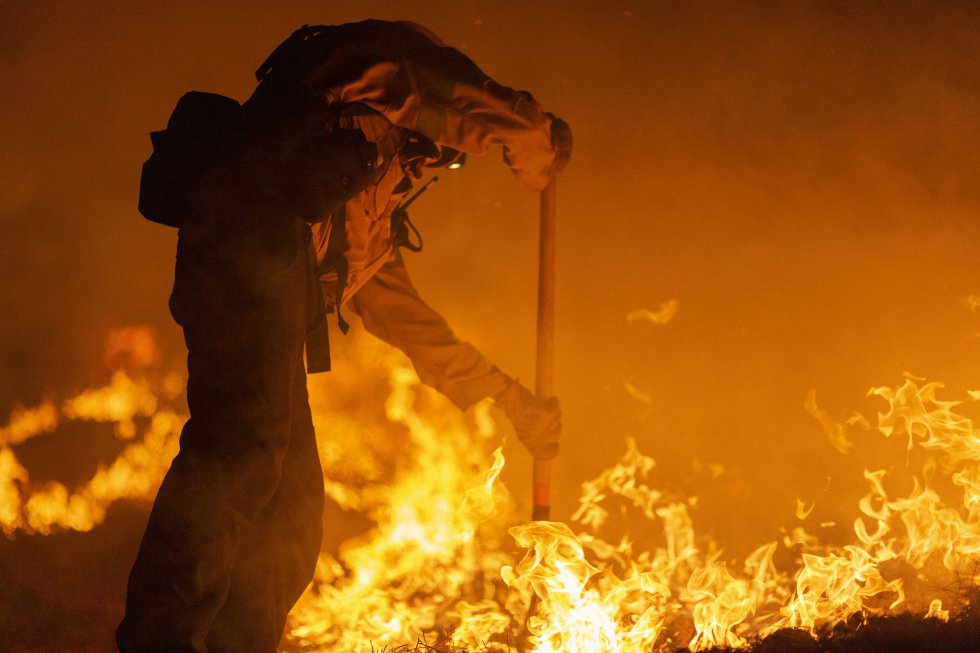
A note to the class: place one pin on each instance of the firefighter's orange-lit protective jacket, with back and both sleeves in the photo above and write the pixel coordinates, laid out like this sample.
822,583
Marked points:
391,80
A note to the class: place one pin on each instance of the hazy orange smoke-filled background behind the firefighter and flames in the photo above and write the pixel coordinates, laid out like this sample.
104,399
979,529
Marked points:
801,177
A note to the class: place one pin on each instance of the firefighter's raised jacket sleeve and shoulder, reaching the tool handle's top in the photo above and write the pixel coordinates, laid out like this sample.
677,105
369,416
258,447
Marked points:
406,73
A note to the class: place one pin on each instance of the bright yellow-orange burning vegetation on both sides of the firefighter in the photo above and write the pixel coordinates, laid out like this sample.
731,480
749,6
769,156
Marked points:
448,562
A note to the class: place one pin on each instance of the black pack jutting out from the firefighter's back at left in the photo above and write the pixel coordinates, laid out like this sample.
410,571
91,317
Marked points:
199,139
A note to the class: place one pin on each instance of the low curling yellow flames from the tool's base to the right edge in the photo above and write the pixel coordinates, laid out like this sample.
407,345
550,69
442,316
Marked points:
724,608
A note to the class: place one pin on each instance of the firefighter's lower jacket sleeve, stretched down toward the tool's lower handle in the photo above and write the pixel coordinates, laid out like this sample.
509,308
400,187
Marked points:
391,309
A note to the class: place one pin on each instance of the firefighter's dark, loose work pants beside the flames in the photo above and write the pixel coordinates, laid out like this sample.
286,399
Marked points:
235,530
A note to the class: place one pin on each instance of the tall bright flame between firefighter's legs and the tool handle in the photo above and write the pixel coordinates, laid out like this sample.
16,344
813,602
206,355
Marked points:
436,550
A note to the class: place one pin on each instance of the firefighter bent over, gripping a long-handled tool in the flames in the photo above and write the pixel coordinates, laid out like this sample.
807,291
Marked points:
290,223
